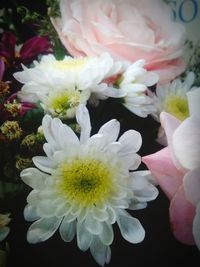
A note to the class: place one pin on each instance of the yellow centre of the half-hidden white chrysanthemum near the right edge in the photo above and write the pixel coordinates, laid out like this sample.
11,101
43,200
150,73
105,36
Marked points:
177,106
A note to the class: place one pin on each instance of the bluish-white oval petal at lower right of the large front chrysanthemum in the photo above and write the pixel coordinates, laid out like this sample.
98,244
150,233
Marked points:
130,228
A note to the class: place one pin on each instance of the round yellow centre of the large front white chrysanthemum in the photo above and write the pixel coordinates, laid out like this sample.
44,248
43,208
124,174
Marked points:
85,181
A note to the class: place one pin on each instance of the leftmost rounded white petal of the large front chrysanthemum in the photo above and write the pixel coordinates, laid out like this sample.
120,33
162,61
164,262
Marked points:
34,178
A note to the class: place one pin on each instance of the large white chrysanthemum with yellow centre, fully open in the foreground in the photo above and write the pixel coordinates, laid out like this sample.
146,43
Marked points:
83,186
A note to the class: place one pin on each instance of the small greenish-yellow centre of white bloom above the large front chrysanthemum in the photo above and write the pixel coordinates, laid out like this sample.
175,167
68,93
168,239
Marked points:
61,101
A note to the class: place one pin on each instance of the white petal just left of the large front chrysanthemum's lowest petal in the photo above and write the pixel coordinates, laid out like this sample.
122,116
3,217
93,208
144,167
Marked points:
84,238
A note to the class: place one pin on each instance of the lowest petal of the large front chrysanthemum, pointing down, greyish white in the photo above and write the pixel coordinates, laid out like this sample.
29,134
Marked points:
100,252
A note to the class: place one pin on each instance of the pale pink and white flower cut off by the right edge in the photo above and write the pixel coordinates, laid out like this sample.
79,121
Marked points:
177,169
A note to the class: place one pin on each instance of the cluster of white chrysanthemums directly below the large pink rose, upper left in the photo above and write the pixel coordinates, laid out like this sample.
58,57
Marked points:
61,85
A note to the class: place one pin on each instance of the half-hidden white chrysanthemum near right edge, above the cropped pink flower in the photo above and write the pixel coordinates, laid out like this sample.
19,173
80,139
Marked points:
172,97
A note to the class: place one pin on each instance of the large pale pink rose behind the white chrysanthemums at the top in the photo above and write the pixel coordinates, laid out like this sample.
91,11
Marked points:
128,30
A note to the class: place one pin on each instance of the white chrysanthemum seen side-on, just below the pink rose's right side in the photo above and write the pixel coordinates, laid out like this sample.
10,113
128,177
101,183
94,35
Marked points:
134,83
